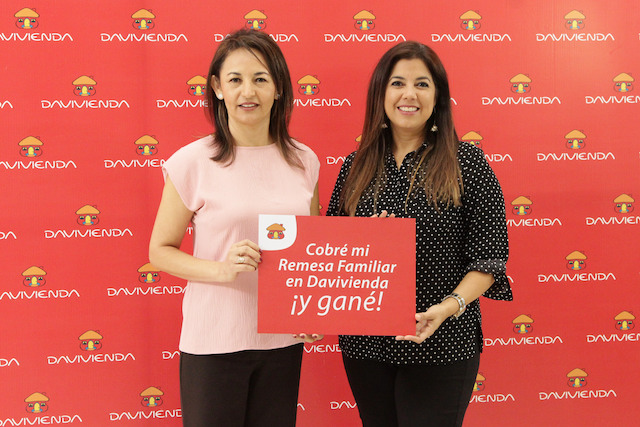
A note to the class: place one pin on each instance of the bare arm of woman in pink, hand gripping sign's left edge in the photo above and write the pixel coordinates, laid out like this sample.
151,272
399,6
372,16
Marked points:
172,220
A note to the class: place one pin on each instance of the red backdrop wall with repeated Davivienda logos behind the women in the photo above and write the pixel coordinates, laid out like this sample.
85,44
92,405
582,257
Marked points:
89,332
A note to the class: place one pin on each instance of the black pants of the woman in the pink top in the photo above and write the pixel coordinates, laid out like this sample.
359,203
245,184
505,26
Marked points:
246,388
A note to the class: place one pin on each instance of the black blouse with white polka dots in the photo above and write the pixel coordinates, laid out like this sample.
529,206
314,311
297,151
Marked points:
449,244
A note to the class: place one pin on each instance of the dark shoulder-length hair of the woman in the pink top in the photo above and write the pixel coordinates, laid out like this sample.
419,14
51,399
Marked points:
255,42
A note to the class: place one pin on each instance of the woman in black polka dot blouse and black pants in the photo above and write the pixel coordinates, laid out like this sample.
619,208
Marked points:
410,164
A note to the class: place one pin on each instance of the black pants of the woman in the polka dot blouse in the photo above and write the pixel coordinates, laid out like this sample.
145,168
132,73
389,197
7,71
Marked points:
411,395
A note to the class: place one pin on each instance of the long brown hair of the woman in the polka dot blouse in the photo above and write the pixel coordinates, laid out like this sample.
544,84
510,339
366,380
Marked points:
437,169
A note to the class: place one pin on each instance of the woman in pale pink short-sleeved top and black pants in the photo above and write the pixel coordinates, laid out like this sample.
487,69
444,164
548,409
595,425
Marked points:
229,374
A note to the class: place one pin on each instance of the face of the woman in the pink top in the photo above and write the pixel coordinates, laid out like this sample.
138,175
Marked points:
247,88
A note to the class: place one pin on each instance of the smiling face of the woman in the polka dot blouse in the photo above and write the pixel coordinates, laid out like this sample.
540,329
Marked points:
410,95
